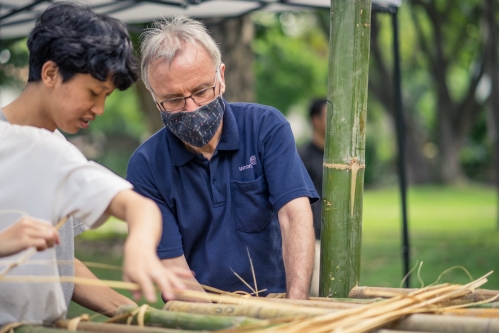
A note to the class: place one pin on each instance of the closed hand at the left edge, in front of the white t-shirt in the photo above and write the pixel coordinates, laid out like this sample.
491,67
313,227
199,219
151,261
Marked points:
25,233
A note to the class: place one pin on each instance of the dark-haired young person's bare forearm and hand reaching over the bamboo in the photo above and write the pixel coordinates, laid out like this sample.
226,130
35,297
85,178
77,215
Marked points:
141,263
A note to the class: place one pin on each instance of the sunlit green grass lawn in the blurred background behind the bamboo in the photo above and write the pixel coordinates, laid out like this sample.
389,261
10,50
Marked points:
448,226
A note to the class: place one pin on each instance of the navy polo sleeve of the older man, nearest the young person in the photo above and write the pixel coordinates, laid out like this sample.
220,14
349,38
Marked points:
139,174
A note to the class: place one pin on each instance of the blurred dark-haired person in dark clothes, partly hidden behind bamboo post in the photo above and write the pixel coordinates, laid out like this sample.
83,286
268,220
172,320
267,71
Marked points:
312,156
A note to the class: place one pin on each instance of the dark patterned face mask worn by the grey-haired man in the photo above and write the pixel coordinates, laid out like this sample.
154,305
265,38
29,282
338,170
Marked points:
198,127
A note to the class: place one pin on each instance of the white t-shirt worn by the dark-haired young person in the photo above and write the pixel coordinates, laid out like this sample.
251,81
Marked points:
48,178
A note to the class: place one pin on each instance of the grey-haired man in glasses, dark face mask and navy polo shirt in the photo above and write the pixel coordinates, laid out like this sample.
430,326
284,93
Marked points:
227,176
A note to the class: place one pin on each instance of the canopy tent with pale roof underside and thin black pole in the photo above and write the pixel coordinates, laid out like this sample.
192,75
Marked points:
17,18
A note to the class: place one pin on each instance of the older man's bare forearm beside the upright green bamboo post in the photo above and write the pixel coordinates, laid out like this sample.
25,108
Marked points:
298,246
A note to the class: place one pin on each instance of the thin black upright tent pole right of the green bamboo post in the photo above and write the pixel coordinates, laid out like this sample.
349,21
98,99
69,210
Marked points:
400,131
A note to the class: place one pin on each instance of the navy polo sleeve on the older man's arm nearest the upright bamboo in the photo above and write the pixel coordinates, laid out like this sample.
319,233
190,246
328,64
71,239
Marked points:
286,175
